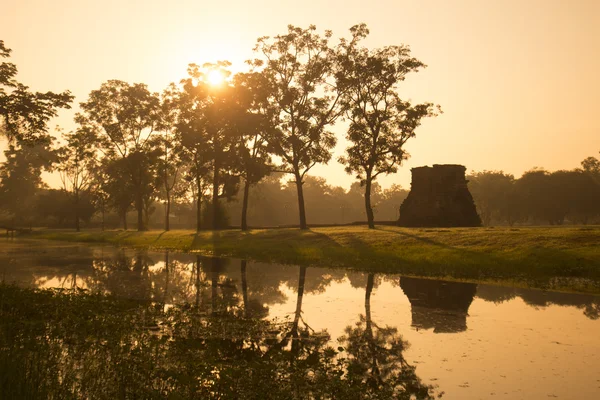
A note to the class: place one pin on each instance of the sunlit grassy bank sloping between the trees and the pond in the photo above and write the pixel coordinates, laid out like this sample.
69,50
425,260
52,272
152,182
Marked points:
565,258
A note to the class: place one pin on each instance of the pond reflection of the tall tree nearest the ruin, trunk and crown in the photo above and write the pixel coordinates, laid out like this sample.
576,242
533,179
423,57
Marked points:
376,359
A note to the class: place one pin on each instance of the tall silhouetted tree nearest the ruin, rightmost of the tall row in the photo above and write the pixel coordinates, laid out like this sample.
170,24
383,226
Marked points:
380,121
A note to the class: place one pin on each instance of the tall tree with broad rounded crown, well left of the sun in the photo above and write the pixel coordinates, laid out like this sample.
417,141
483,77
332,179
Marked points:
125,116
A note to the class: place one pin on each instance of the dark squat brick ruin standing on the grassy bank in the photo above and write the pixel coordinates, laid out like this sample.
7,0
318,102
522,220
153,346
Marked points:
439,197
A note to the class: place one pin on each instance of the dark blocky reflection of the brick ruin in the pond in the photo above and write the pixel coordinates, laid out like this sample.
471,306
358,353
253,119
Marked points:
440,305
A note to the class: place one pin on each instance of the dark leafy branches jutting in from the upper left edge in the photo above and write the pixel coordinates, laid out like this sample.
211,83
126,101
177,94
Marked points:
24,115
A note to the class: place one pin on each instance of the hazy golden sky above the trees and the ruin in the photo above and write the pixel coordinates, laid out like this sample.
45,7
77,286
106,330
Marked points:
518,80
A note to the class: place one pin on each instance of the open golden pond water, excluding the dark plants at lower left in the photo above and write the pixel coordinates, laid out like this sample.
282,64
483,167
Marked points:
460,340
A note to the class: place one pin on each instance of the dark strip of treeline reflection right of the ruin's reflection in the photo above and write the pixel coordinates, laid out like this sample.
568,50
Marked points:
540,299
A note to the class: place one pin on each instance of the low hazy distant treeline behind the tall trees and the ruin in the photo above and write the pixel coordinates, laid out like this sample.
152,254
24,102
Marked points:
539,197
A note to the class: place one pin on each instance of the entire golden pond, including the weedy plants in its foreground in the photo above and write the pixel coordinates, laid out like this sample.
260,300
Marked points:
123,323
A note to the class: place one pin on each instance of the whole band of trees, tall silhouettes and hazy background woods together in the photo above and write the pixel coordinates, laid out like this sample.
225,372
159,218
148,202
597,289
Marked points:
218,150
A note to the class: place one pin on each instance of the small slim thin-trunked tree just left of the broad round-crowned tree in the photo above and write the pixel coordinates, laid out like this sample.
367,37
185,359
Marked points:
77,162
